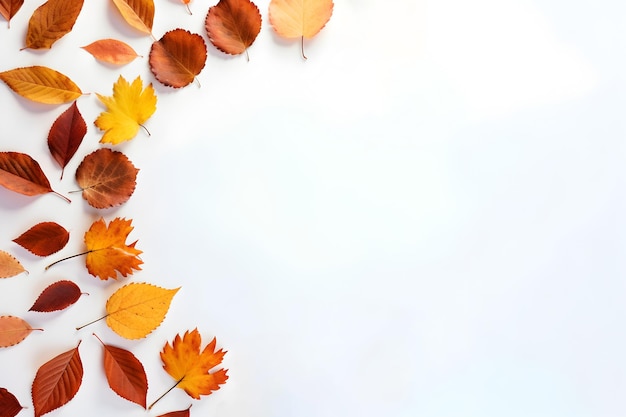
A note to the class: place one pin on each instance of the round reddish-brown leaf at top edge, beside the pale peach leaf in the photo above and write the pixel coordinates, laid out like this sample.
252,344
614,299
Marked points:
233,25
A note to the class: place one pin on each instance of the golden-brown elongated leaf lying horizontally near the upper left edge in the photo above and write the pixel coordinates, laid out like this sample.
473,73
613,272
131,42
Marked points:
41,84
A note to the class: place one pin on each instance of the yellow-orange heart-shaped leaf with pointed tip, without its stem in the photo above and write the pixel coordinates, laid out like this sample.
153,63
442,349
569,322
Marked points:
136,309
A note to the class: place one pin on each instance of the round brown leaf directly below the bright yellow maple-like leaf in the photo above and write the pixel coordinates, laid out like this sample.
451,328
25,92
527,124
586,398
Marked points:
107,178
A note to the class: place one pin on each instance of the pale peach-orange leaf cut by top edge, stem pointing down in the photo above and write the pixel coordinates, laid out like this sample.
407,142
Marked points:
299,18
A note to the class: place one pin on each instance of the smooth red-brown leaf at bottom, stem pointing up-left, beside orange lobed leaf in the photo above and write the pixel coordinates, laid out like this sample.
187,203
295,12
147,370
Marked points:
125,374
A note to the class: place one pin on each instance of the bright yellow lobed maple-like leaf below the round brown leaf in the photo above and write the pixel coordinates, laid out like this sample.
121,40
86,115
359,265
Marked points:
127,110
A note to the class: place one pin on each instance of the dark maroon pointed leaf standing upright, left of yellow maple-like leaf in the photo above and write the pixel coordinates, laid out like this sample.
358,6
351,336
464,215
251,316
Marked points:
66,134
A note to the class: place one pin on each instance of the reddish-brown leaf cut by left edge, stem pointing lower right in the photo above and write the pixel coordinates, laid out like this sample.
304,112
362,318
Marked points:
22,174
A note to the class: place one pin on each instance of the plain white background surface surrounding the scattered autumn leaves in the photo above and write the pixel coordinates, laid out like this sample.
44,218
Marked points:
426,218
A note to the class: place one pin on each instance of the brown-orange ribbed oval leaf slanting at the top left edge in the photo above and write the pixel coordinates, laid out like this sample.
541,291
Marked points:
51,21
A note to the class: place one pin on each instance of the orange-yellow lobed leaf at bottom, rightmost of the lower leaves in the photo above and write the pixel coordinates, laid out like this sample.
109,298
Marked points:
190,367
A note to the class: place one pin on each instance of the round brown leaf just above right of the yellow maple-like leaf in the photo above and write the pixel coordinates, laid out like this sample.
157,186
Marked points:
177,58
